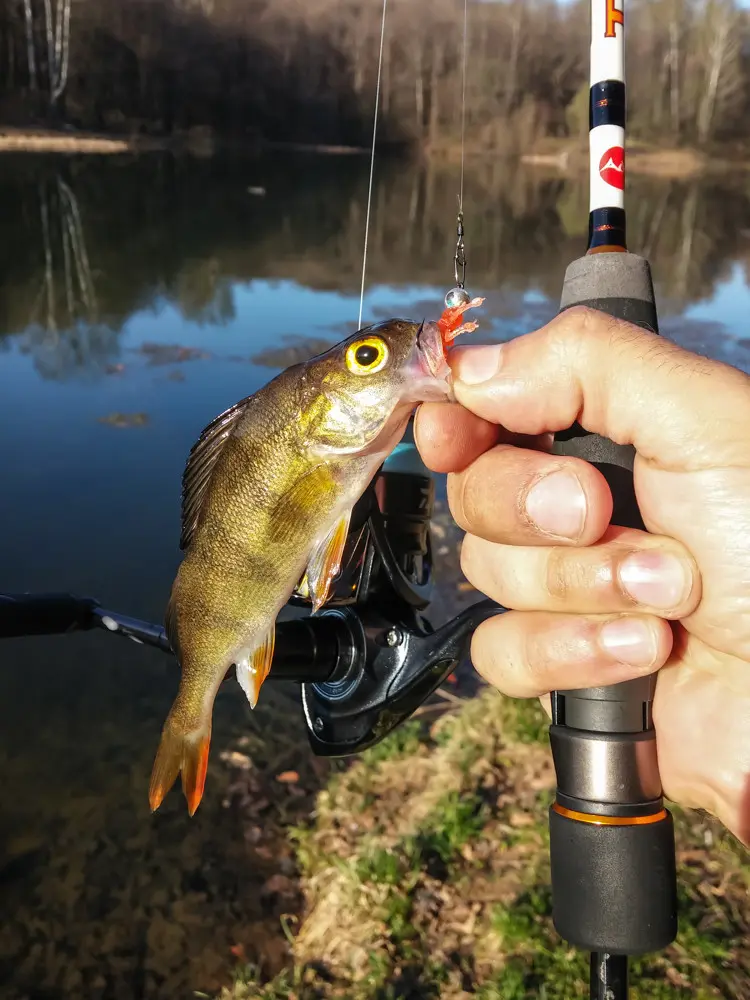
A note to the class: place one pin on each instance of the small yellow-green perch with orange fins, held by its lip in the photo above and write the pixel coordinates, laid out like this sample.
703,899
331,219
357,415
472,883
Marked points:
267,494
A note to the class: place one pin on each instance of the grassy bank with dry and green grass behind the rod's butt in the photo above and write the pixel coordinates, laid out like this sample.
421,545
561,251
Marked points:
425,874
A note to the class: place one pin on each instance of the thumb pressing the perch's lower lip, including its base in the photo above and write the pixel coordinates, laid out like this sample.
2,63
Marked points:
617,380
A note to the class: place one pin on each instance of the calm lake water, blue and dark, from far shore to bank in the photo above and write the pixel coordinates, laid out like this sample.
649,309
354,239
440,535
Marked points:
170,289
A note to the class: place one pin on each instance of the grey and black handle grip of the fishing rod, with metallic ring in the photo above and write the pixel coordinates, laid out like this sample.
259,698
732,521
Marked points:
611,840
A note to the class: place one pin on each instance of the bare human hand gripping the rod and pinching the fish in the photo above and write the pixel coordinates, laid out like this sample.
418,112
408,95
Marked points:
593,604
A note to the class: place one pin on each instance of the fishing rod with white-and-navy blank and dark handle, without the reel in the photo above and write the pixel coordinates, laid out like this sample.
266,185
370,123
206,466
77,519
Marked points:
611,838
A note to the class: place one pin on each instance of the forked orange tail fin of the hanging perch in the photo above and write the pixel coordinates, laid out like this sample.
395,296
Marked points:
184,753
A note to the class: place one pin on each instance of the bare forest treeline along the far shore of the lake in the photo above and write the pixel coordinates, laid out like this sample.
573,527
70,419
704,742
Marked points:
305,70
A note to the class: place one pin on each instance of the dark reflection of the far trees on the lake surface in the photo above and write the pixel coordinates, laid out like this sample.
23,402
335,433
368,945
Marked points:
91,243
